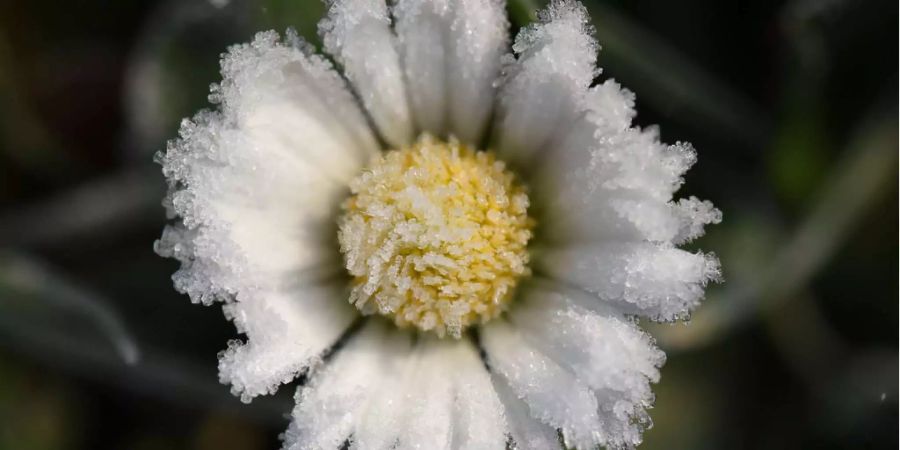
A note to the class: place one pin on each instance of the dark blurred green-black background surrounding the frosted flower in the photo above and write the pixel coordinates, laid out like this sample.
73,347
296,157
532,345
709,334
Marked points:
792,106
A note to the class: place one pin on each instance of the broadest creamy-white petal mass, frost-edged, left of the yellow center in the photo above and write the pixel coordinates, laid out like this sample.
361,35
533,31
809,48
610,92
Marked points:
255,184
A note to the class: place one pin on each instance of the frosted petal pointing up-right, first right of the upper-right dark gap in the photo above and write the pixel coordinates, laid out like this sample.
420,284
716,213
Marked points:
543,89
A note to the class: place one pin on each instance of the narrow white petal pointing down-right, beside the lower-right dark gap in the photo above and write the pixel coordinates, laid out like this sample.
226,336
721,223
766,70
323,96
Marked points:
553,394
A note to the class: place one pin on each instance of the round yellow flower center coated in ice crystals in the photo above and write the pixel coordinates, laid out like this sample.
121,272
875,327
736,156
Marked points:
435,236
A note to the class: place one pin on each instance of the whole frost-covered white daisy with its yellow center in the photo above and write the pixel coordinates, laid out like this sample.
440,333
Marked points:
510,279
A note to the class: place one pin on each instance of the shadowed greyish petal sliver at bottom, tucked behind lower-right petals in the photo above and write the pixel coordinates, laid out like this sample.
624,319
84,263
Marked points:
527,432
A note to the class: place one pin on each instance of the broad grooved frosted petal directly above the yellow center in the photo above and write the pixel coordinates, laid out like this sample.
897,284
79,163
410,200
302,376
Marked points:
451,56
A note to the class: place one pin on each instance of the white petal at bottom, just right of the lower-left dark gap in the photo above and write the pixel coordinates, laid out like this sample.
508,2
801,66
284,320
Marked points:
329,407
